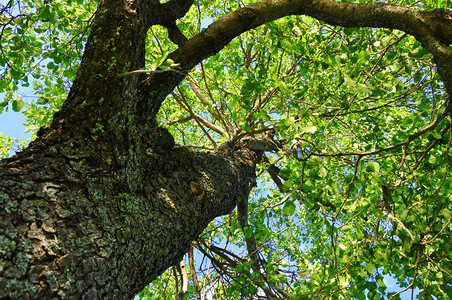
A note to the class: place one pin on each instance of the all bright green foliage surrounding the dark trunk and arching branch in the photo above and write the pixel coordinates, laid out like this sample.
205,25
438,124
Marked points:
360,185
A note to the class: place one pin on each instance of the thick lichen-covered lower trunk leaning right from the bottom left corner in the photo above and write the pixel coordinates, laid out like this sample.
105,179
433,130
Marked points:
79,226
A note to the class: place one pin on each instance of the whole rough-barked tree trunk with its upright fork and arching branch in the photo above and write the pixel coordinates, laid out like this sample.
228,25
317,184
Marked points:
100,204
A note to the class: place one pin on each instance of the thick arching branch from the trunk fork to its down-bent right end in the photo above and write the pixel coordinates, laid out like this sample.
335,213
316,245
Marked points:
430,28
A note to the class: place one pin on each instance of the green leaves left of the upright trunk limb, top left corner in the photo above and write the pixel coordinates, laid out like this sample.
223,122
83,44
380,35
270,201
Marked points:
40,49
